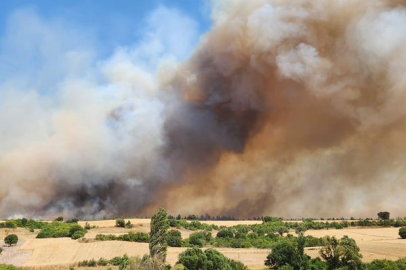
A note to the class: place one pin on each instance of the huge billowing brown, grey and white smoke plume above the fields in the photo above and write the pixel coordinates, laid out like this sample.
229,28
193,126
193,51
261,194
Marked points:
290,108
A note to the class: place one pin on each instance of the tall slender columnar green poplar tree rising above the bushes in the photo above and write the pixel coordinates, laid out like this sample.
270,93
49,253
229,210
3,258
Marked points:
158,234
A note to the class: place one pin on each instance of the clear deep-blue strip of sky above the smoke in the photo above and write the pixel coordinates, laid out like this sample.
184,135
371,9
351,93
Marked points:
117,22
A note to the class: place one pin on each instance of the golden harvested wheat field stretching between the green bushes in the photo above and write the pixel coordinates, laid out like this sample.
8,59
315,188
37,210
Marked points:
375,243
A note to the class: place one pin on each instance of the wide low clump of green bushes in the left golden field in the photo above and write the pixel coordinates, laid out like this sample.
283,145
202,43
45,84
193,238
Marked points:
58,229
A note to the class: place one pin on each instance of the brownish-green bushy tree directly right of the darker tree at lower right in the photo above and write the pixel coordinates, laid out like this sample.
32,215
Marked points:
342,252
